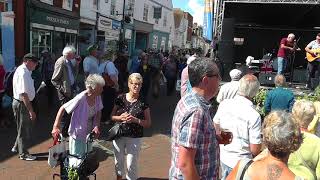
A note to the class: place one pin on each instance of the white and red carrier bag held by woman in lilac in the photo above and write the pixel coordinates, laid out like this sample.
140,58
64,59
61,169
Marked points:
56,151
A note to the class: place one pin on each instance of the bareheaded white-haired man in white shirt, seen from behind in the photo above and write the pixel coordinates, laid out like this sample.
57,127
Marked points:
239,116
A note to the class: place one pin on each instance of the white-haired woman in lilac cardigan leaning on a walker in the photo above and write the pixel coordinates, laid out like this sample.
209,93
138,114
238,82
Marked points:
86,113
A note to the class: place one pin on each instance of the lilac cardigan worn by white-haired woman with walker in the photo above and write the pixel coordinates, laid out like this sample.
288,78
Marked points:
79,108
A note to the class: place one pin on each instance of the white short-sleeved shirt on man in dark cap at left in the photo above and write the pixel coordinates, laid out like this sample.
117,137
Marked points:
23,83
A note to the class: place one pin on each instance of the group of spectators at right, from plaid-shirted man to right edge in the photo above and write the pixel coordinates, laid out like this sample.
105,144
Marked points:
288,132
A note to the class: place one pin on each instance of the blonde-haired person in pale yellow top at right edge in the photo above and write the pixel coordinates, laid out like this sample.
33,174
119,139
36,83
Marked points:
305,162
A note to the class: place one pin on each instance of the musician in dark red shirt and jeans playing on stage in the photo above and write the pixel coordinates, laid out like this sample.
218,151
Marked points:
287,47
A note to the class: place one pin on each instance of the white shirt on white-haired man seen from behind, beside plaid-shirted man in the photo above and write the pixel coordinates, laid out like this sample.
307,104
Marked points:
239,116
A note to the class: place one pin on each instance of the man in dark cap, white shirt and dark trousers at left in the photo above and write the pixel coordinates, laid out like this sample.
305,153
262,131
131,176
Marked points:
23,94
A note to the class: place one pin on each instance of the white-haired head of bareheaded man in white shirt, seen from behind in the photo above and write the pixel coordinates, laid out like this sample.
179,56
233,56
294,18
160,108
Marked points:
249,86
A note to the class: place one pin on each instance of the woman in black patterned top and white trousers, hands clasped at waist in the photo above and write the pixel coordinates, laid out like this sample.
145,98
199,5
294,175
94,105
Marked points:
134,114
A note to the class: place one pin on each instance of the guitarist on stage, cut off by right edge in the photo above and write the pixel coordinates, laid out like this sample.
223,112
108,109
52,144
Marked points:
313,57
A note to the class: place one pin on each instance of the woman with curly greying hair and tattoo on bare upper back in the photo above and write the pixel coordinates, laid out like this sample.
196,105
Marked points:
281,136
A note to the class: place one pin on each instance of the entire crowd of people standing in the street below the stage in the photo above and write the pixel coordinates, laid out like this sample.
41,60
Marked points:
114,89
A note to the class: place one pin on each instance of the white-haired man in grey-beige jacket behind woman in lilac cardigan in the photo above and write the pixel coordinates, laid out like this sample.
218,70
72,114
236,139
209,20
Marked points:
64,80
